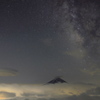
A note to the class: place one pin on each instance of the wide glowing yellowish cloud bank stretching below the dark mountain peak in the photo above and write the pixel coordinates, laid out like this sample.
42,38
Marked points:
50,92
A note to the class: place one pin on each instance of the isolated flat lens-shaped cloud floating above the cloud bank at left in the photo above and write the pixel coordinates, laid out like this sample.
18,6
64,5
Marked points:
8,72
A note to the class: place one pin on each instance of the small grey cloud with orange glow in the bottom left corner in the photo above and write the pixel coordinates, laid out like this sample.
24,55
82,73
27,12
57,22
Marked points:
6,95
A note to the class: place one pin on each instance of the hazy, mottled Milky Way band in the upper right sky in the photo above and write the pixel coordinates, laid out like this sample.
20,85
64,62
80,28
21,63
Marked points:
78,28
